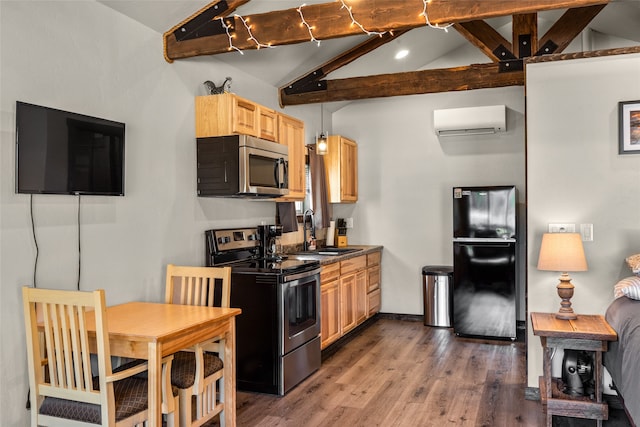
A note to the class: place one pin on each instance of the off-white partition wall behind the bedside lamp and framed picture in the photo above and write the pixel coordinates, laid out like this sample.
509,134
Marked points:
576,175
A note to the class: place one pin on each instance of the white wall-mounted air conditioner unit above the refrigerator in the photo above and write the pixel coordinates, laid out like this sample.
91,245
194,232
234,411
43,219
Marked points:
470,121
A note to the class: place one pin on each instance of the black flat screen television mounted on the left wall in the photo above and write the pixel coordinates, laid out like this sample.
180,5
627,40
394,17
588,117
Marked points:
59,152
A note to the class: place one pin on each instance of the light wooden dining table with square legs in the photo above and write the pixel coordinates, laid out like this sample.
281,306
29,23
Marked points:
151,331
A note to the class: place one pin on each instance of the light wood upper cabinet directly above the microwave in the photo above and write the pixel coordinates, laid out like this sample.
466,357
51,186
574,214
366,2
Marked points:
229,114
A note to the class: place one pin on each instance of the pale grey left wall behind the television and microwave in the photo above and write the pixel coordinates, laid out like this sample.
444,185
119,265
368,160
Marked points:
84,57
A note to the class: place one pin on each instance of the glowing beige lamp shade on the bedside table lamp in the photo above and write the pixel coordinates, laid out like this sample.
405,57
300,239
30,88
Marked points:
562,252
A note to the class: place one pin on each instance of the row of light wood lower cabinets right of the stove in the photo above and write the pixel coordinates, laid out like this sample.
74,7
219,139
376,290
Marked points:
350,294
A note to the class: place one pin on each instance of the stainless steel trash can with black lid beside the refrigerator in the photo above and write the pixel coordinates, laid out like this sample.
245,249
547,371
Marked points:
437,283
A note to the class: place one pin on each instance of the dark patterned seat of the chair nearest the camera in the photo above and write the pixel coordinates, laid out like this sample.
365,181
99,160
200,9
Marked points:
130,396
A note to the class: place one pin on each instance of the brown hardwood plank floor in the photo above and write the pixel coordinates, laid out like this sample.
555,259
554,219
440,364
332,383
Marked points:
402,373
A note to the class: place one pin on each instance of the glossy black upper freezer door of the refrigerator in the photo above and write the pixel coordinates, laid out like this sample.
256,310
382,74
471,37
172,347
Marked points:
484,212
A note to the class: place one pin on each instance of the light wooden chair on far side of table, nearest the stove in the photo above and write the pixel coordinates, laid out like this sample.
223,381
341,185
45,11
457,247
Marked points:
198,372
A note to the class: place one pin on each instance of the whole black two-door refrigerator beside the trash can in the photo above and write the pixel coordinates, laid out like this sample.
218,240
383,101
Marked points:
484,261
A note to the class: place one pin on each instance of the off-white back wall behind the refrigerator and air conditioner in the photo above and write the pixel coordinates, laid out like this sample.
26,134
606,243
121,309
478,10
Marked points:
406,175
